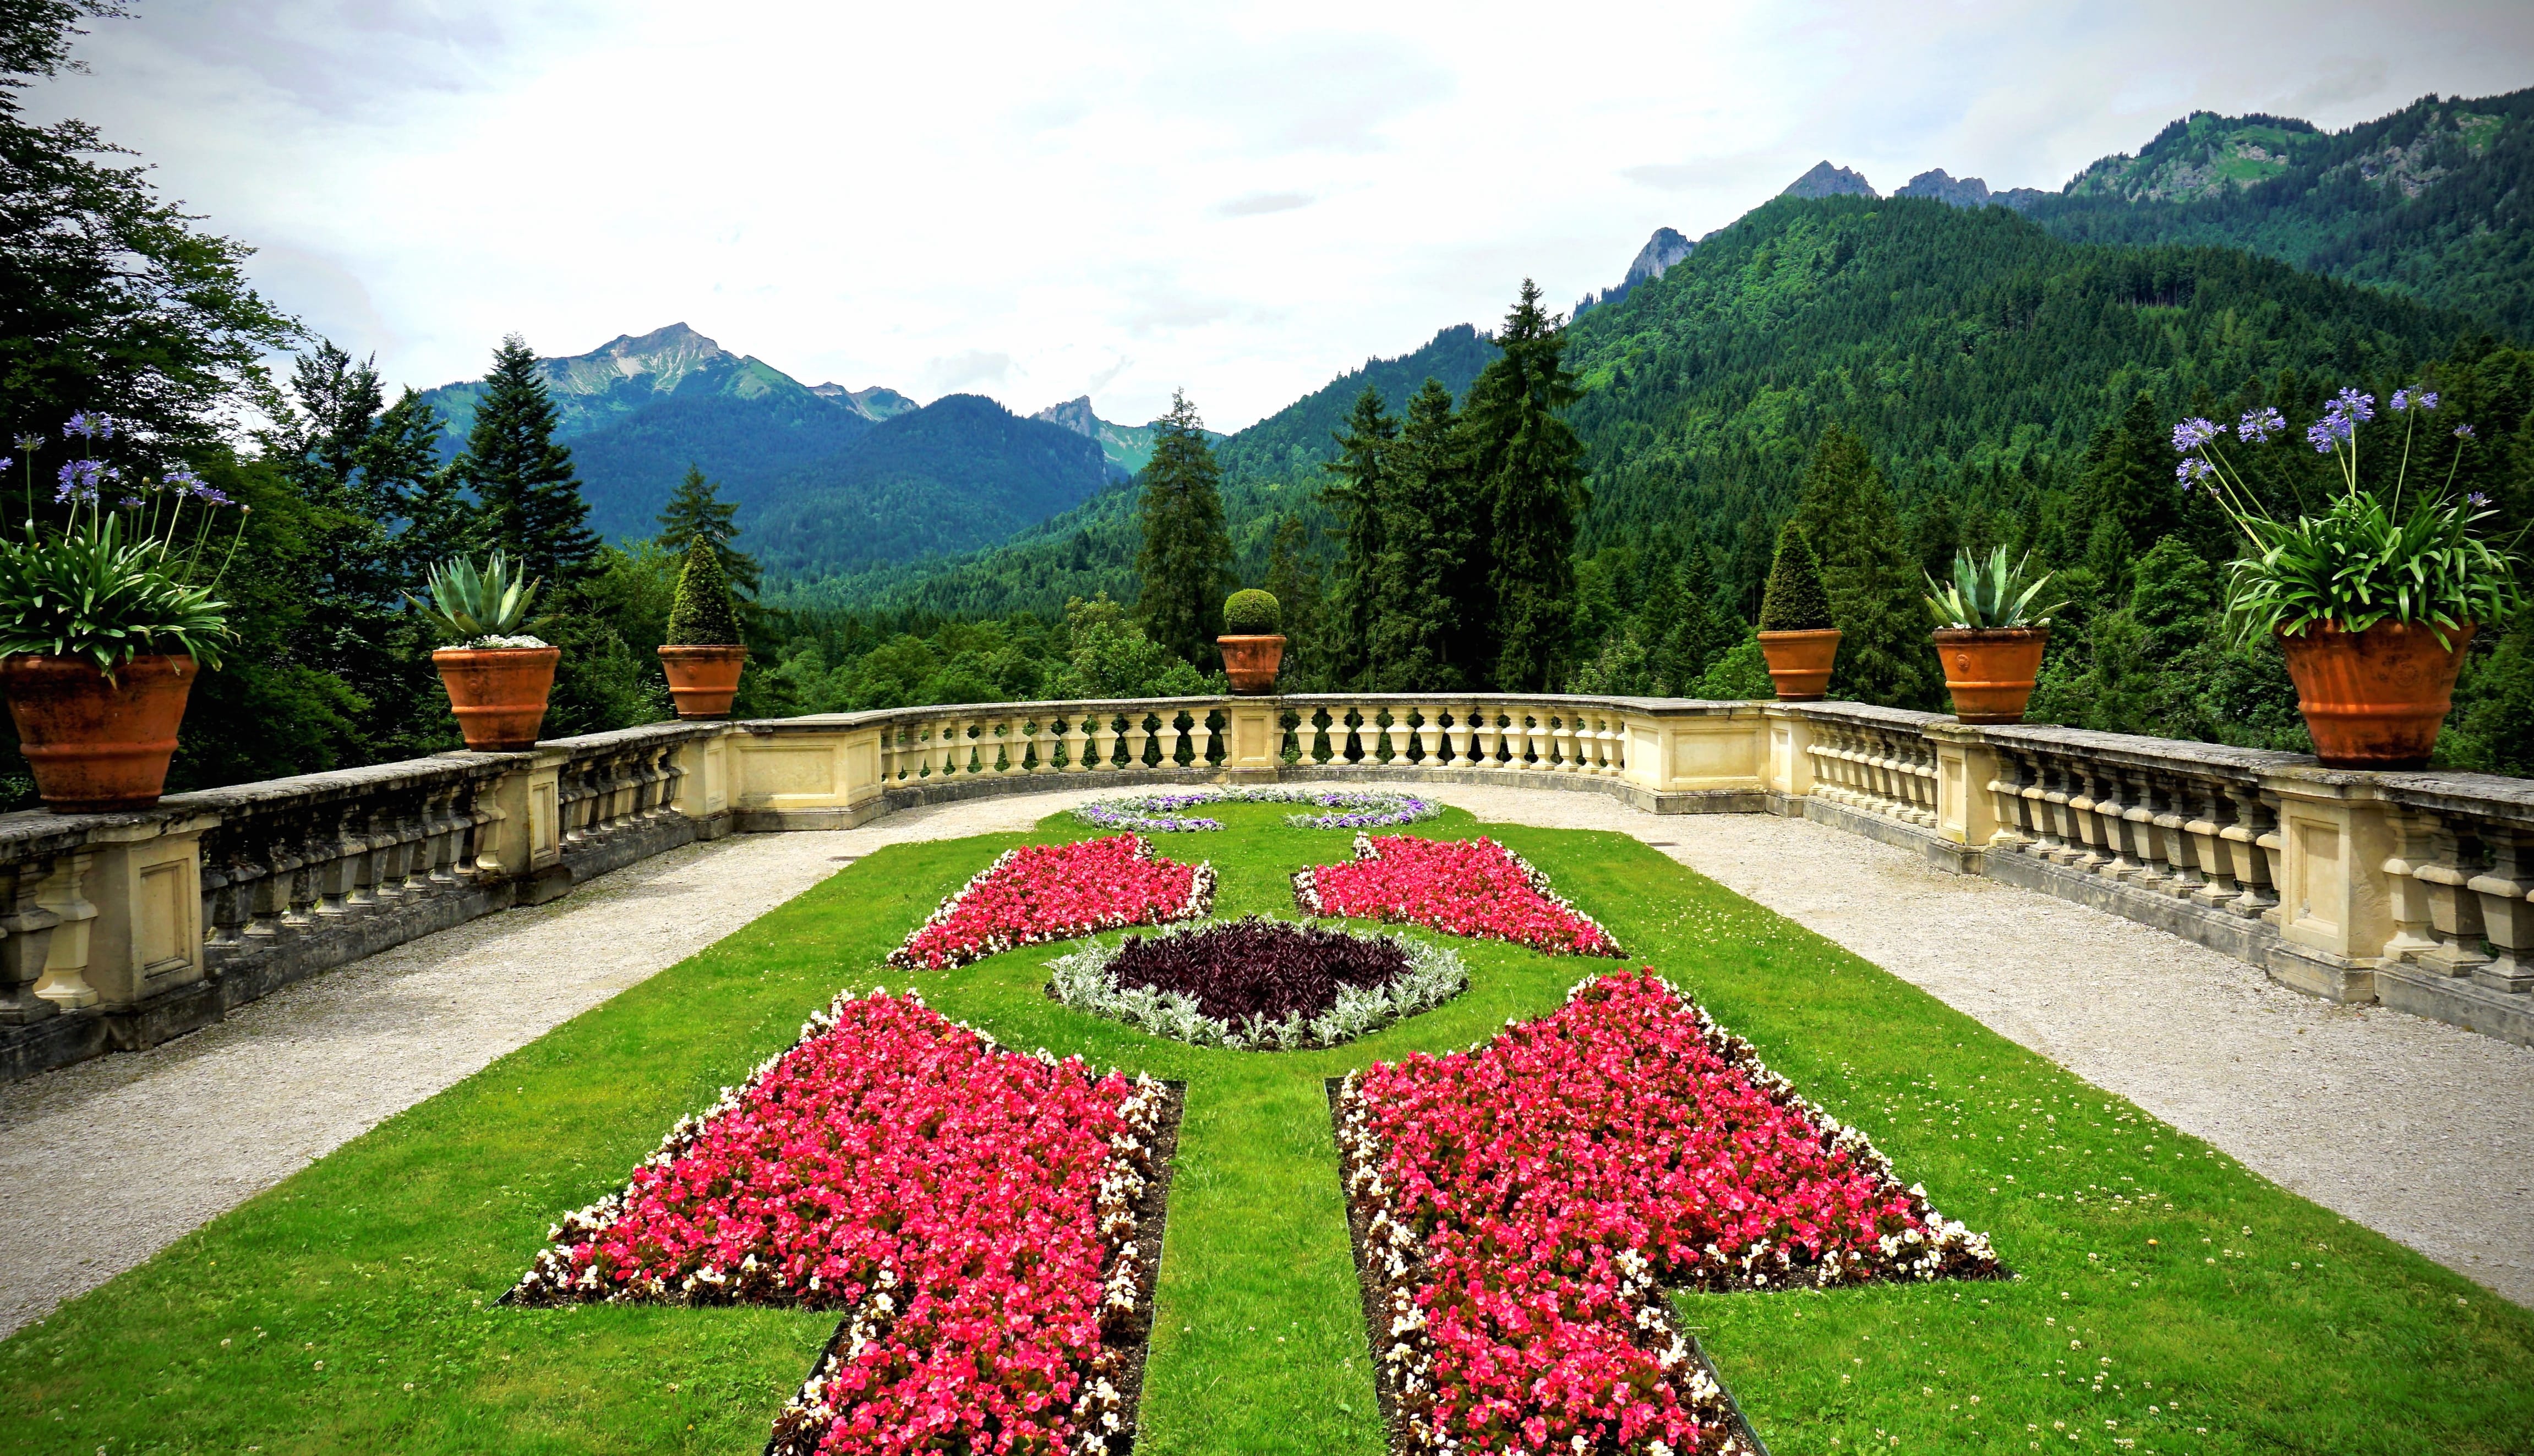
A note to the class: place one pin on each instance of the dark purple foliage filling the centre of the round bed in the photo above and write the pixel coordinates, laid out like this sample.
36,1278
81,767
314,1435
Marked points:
1253,966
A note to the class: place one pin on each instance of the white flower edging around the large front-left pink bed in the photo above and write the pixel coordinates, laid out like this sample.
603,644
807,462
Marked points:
1124,1179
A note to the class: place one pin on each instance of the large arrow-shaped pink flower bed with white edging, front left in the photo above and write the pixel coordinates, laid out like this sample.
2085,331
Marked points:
974,1209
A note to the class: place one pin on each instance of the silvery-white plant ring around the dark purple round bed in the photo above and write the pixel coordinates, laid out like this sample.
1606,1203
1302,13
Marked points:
1433,979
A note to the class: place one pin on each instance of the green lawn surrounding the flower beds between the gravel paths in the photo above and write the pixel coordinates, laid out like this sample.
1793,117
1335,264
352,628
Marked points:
353,1308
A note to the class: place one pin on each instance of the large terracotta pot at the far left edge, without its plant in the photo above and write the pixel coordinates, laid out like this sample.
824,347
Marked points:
98,746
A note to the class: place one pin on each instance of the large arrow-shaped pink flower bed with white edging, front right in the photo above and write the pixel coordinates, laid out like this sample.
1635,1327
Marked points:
1527,1202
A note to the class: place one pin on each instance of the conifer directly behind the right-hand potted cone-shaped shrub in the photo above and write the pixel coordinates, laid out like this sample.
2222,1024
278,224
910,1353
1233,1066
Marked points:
1876,594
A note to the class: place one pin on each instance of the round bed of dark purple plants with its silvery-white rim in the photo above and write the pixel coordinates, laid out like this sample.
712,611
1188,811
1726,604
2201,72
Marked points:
1258,984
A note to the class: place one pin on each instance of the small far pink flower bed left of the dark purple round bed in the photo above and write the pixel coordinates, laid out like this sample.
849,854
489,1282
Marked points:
1058,893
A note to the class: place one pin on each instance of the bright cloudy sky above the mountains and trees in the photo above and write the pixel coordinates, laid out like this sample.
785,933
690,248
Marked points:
1121,201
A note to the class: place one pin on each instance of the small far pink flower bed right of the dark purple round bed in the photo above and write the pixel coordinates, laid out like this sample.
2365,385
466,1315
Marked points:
1463,888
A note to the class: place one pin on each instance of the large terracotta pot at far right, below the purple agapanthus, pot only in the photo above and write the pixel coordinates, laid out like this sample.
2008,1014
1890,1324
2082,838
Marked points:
2376,700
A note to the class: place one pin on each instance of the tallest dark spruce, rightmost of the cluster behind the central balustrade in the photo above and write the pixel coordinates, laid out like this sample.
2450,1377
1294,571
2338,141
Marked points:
1532,470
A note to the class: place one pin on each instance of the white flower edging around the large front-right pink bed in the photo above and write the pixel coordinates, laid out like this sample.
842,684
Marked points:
1398,1252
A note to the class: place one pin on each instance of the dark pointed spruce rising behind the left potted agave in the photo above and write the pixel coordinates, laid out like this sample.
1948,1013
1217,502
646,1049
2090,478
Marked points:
521,477
